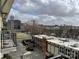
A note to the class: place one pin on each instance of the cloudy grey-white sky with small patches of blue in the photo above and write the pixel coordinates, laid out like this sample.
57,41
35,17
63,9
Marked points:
48,12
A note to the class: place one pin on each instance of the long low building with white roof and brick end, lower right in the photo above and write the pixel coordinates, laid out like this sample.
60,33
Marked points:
59,46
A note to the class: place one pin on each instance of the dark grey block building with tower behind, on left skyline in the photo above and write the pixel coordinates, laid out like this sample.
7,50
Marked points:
14,24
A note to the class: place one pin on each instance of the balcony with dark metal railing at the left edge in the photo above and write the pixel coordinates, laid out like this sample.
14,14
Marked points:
8,39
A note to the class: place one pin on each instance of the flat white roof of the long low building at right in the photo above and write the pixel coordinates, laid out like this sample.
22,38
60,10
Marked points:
66,42
